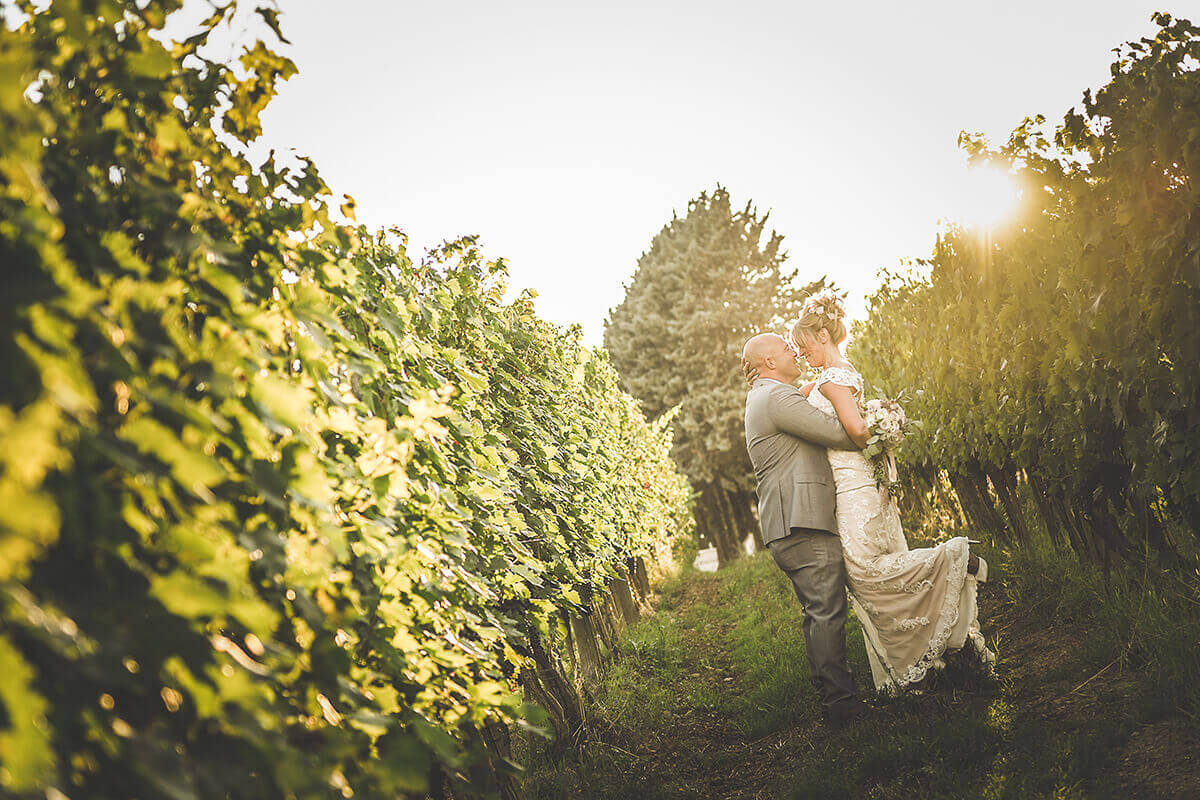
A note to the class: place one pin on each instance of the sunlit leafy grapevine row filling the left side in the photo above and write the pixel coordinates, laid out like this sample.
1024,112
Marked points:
283,513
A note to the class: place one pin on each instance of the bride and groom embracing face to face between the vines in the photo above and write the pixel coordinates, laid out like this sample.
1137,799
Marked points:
831,527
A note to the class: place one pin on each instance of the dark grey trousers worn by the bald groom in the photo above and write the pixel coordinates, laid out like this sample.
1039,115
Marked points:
813,562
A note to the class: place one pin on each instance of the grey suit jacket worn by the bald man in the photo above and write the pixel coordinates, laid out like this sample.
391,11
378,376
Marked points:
788,441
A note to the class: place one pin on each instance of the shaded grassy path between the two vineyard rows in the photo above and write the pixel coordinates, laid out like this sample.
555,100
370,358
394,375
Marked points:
710,699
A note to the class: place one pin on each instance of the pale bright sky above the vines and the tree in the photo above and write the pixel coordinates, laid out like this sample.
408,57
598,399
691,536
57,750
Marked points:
567,135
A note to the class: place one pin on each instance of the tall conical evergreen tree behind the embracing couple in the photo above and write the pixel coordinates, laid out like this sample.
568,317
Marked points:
707,284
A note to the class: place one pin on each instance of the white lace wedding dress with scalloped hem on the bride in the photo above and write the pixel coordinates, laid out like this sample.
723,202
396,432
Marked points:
914,605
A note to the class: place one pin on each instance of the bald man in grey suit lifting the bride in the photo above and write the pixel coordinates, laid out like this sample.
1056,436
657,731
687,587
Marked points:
788,441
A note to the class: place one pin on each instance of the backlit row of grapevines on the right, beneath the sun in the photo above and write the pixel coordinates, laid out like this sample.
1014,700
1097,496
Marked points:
1060,357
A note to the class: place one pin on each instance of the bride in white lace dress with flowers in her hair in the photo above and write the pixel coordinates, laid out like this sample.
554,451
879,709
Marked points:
914,605
